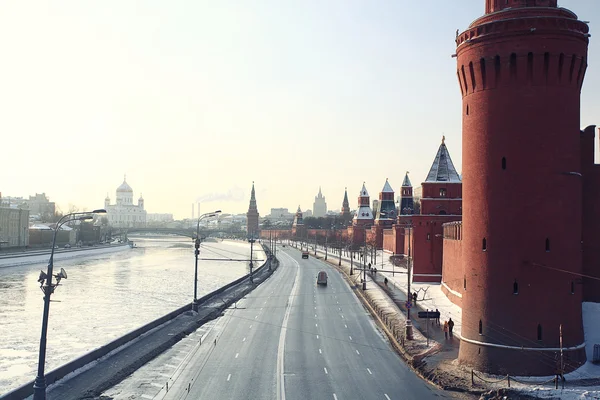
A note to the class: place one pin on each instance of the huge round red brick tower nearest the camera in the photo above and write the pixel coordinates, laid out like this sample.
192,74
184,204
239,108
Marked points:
520,70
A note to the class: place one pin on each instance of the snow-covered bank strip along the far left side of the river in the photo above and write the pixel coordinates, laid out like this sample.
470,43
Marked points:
42,256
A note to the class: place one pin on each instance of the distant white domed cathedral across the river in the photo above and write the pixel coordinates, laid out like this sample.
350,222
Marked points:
125,214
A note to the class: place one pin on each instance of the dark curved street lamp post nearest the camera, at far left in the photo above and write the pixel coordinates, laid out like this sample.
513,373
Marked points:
39,385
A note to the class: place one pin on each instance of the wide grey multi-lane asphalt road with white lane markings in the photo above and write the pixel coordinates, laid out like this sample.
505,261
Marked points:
289,339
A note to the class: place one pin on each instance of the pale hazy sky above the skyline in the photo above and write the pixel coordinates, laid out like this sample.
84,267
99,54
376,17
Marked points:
194,100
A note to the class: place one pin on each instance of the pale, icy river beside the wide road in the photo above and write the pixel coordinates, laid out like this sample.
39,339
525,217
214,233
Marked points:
104,297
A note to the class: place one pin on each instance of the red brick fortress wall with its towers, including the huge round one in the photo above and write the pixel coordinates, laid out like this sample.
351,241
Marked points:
513,241
